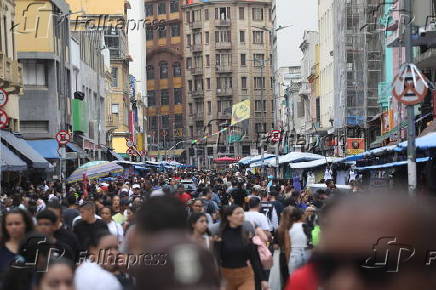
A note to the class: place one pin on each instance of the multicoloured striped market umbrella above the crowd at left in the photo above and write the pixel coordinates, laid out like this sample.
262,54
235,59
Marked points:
94,170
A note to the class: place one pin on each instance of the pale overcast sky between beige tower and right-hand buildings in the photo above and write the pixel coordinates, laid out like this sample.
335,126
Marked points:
303,15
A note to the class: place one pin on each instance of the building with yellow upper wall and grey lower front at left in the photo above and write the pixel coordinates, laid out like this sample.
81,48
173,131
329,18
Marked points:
45,104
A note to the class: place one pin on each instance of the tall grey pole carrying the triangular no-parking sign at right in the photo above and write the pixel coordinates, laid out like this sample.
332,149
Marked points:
411,130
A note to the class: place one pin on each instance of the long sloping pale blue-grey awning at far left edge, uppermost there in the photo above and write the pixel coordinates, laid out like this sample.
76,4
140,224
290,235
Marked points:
21,146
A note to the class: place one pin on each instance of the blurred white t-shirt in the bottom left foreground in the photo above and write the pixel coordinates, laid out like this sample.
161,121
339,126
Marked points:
92,276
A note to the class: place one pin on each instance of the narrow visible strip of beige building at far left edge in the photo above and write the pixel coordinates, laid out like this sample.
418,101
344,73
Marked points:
10,70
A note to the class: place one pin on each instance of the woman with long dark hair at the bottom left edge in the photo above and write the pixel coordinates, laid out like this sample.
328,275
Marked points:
15,224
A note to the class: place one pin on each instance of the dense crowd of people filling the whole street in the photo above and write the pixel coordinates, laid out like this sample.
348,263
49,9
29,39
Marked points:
219,230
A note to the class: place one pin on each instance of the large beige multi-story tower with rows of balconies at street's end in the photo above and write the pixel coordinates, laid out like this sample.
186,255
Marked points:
228,58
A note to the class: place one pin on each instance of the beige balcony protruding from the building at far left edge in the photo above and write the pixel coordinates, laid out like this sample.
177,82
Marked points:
11,74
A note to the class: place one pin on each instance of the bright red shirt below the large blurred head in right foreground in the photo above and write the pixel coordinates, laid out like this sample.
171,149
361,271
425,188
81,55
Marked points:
303,279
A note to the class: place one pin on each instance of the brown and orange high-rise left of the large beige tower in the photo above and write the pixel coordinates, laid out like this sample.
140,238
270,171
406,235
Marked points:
165,78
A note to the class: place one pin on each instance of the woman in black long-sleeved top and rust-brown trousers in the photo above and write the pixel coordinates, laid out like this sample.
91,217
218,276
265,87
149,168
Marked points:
236,253
